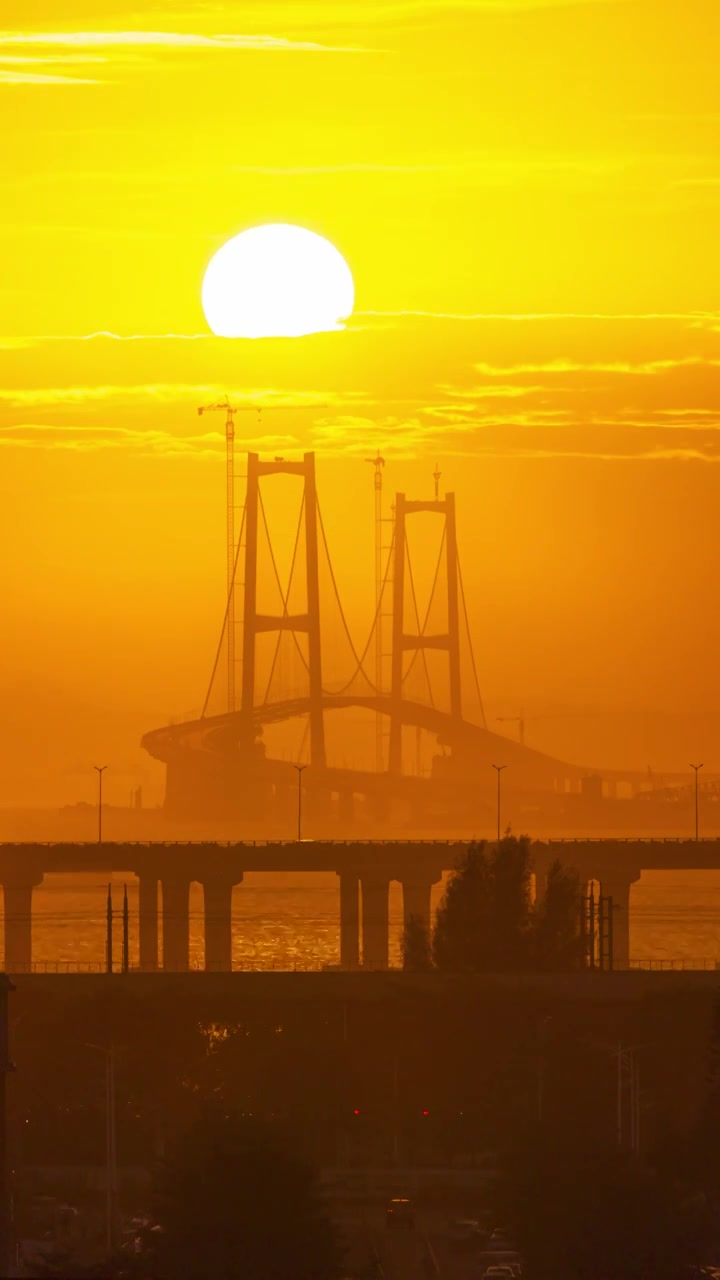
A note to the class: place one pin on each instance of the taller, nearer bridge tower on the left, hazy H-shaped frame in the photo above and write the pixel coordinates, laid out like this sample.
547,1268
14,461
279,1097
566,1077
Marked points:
308,623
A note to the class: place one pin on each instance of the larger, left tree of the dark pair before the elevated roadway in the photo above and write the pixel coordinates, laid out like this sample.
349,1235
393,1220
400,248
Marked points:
485,920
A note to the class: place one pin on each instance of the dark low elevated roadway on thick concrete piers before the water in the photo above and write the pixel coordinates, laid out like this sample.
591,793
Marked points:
364,871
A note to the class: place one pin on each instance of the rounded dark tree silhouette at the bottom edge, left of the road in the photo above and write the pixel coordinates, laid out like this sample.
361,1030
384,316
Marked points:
236,1201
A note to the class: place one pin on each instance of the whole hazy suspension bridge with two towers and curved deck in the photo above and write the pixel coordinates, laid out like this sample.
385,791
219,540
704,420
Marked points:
220,766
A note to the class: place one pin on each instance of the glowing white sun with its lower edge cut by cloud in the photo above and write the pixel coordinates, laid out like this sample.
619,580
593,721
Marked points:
277,281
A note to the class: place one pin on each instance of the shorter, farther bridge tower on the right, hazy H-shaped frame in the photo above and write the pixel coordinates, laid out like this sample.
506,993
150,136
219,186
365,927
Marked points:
403,641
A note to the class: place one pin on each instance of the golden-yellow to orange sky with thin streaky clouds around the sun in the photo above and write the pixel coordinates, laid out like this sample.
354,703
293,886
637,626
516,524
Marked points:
528,196
